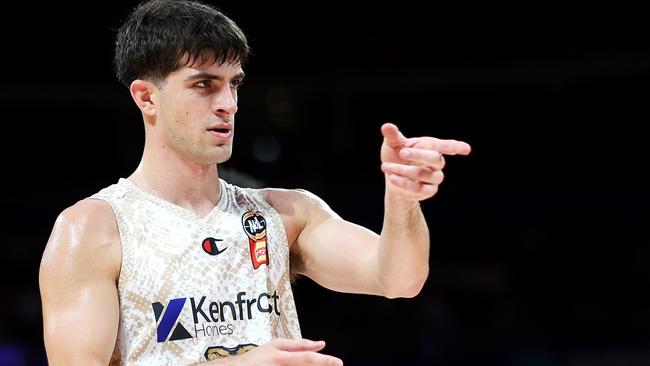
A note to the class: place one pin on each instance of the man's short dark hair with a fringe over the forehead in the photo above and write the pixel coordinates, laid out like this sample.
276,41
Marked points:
161,36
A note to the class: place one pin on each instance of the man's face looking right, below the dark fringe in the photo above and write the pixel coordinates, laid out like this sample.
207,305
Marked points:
196,111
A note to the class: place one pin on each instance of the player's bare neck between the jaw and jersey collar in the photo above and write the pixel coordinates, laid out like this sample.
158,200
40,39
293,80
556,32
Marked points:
166,174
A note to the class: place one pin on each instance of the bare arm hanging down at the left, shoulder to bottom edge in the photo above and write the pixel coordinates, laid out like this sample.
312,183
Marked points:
78,283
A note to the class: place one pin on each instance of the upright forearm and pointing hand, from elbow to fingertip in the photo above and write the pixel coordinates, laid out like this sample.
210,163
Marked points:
413,171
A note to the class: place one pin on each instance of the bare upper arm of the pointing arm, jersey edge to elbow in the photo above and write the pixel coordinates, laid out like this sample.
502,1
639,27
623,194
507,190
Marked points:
335,253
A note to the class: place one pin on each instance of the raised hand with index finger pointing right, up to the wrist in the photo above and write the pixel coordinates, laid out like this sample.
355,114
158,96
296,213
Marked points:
413,166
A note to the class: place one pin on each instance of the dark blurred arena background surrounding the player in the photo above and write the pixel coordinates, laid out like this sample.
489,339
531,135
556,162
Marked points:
539,238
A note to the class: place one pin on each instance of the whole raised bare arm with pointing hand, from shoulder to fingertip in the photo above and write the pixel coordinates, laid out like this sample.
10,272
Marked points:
346,257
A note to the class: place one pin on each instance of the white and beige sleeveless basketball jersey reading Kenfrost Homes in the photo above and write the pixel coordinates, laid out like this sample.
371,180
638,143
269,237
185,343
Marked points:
193,289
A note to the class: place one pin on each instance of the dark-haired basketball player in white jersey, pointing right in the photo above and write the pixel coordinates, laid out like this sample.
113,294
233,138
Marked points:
173,265
